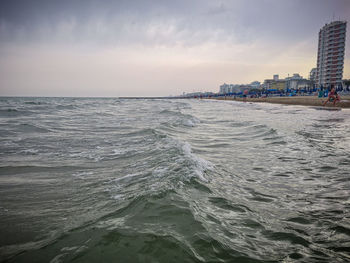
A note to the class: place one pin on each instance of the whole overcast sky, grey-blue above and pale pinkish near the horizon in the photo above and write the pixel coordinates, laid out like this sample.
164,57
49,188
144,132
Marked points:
105,48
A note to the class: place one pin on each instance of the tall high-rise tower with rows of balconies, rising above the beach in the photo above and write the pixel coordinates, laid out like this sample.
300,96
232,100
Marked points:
330,56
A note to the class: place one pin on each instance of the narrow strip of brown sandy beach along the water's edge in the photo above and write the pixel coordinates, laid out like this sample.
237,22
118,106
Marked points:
296,100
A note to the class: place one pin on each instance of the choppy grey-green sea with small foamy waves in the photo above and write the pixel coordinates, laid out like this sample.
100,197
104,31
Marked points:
182,180
